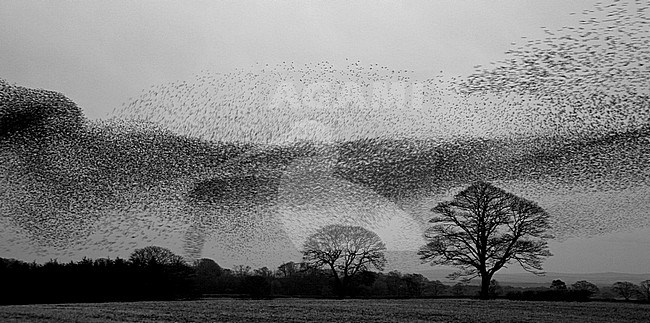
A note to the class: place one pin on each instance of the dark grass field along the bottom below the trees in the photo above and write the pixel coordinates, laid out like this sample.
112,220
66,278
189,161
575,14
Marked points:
304,310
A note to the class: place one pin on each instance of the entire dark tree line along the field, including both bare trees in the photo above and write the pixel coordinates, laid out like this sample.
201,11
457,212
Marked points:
480,231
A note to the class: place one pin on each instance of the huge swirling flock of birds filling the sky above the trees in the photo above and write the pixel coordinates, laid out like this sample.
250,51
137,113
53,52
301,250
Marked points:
214,162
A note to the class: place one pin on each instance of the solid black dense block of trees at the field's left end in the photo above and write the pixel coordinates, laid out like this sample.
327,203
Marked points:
88,280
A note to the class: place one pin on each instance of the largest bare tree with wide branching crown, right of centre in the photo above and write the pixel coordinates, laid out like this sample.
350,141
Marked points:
483,229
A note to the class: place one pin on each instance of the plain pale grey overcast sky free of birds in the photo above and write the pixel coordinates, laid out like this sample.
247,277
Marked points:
101,53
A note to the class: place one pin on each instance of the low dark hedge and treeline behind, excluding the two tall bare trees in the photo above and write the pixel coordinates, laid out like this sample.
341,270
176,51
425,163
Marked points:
155,273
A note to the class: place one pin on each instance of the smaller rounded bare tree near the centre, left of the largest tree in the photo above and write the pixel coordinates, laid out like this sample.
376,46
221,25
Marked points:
345,251
